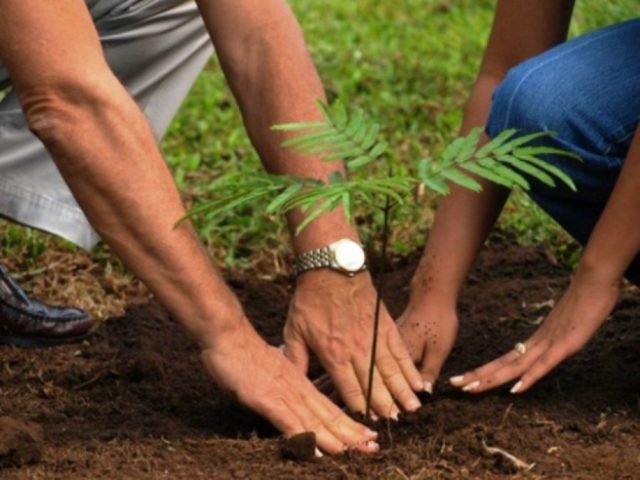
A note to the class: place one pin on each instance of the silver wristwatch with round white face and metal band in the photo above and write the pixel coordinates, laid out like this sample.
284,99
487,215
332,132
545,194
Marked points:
346,256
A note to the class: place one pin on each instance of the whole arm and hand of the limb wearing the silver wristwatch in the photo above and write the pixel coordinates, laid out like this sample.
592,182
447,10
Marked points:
263,54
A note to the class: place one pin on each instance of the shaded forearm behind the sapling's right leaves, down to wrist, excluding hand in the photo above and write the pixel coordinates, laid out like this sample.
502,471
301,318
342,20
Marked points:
521,29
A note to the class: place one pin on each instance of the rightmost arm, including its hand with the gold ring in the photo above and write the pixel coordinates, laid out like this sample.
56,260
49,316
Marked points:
591,296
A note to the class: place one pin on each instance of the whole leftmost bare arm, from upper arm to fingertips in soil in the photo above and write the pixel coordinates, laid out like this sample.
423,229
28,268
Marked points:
105,150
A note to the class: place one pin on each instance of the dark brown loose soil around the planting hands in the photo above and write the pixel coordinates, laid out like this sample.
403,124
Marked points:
132,402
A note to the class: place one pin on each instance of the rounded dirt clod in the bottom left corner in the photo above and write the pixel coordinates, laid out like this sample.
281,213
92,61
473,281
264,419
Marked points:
20,442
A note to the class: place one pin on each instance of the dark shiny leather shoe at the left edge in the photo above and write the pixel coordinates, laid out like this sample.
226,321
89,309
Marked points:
27,322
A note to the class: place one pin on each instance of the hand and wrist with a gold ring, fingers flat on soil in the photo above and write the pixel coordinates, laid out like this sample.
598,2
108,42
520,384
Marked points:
582,309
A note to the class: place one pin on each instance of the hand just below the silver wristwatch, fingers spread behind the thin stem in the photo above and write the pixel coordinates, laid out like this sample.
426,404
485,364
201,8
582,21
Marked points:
332,315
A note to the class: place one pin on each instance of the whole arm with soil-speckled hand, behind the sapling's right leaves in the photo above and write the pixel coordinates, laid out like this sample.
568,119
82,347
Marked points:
521,29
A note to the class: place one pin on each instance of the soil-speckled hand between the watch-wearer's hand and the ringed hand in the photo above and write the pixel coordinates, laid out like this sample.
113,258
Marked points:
429,333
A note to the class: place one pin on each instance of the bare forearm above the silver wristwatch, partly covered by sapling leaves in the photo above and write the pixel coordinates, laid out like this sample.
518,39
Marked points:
274,81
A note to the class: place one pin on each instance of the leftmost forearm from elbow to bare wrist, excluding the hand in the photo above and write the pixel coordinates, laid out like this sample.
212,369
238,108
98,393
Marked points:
107,154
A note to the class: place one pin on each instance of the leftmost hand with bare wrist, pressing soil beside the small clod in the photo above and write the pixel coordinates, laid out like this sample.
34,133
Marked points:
260,377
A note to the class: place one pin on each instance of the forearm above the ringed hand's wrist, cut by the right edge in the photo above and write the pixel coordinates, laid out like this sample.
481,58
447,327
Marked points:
615,240
